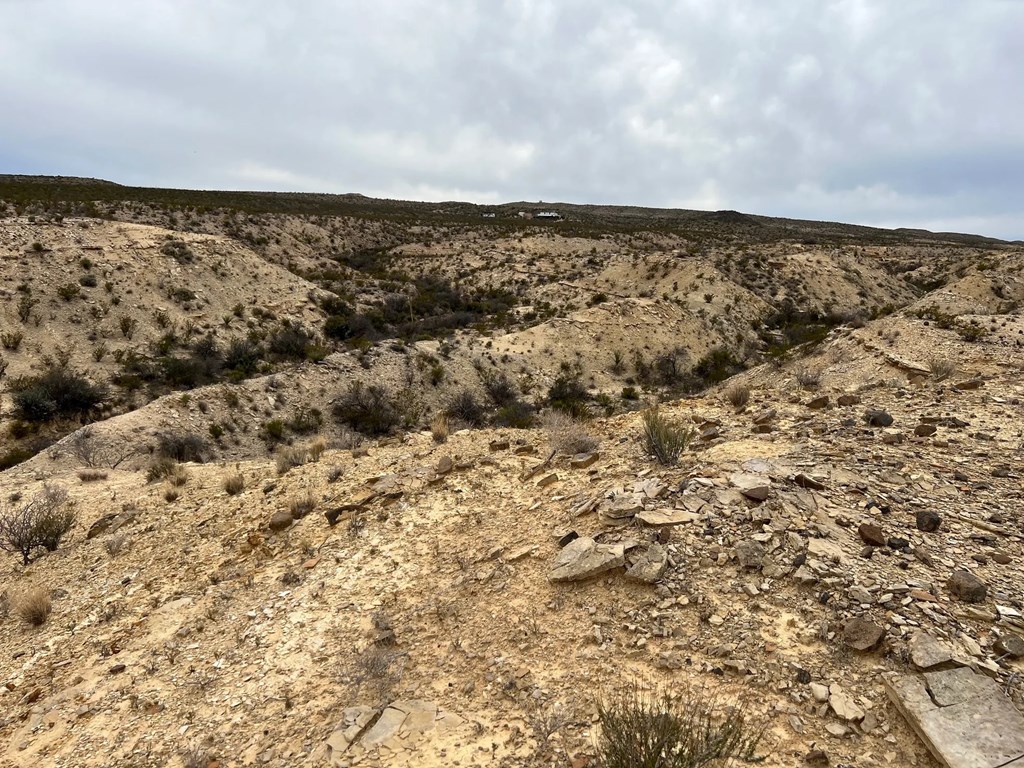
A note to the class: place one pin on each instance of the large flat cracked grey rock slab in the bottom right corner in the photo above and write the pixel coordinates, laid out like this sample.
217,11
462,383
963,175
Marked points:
963,717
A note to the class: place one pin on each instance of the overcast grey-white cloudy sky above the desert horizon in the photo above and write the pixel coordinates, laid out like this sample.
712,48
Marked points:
895,113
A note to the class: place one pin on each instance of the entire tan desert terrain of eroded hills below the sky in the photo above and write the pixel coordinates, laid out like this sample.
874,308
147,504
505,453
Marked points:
405,486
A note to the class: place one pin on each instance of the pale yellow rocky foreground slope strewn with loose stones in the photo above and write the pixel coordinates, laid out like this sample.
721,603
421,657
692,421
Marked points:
804,548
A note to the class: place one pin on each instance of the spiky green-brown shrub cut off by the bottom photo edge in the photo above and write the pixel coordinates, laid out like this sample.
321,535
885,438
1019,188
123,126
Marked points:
643,730
